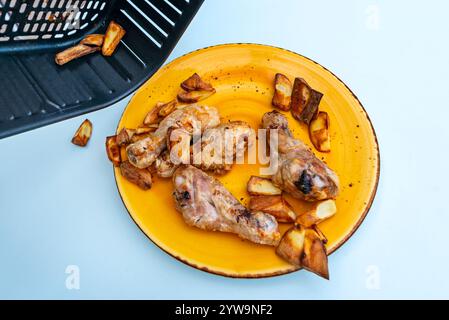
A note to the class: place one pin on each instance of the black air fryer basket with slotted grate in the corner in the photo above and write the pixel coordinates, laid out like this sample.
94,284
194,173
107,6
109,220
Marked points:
34,91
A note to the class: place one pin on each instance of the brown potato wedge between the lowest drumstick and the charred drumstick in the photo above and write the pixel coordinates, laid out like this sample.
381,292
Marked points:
277,206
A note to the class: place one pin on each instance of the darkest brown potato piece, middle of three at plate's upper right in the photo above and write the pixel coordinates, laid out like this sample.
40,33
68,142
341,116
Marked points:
304,101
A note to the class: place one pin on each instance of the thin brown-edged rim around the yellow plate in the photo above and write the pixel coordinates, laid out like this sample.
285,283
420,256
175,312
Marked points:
292,269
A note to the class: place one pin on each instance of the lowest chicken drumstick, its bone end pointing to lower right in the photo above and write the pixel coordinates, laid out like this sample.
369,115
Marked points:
206,204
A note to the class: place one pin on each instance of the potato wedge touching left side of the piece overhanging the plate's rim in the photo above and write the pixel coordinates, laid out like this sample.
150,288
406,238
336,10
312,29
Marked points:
291,246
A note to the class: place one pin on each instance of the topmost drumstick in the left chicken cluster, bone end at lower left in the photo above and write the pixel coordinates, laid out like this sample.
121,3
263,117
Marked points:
192,117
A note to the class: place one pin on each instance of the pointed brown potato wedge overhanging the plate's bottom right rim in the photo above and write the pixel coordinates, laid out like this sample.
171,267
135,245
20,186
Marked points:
314,256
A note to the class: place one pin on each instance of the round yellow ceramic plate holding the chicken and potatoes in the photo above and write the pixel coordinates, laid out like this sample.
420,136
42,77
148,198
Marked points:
243,76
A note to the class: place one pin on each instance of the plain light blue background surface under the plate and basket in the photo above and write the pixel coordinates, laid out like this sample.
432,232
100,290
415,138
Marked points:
59,205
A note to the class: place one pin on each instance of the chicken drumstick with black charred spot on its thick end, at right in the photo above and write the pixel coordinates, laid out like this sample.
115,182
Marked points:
299,172
